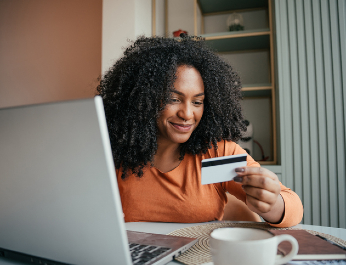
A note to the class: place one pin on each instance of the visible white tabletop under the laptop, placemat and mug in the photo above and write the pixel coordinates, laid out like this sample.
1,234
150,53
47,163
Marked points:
165,228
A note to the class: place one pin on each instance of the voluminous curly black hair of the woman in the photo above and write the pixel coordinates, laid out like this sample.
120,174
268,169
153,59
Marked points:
138,86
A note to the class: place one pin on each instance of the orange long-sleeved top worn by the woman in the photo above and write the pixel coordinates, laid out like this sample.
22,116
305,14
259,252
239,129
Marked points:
179,196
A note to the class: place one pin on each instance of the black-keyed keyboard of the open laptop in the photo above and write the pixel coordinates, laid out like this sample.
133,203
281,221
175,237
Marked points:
144,254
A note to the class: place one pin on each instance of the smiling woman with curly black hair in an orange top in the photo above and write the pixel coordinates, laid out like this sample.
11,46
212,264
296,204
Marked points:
169,104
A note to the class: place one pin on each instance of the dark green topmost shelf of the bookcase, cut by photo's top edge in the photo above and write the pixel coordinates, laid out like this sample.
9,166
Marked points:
213,6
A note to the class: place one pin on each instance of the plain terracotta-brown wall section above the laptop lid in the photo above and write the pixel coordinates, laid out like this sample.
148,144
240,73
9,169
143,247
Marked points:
49,50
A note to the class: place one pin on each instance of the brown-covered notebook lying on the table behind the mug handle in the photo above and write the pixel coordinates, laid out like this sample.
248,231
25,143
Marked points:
311,247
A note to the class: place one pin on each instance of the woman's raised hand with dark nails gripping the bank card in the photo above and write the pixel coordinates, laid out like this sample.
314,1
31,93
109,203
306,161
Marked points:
262,188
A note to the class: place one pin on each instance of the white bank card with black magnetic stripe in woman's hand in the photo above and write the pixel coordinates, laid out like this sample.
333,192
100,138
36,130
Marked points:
221,169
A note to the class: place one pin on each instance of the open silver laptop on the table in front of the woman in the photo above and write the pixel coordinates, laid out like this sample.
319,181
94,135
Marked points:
59,199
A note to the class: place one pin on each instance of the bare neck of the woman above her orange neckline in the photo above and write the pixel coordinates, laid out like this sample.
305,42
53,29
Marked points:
167,156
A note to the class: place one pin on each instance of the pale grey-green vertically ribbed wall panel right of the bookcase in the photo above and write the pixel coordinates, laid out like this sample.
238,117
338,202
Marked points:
311,72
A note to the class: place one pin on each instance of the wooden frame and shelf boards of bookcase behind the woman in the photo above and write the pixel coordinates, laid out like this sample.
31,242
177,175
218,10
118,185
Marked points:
240,41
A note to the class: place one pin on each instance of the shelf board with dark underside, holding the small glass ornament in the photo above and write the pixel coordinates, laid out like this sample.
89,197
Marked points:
239,40
